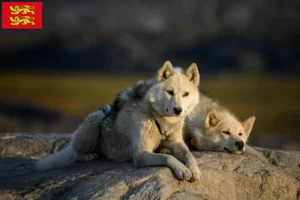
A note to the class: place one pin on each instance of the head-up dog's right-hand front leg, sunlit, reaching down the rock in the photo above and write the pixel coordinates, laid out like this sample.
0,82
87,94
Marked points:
182,153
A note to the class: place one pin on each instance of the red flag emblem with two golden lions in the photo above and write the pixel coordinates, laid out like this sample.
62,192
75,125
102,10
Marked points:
21,15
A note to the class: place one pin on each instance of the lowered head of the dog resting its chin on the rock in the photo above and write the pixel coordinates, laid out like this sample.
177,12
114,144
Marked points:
225,131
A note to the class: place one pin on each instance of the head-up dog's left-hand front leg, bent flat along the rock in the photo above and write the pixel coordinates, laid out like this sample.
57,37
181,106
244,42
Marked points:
144,159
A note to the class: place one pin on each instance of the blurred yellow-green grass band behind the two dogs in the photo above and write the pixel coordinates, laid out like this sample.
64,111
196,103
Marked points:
273,101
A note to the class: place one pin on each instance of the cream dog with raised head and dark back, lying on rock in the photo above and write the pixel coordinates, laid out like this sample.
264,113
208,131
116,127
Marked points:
137,125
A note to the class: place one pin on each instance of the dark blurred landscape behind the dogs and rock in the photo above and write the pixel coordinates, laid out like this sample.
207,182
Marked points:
247,51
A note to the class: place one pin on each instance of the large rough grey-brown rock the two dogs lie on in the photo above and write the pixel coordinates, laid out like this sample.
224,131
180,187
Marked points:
224,176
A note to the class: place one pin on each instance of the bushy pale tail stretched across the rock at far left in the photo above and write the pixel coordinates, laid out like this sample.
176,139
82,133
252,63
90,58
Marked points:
64,157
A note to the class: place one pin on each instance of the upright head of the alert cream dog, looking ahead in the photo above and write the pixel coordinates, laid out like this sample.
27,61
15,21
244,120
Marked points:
175,93
